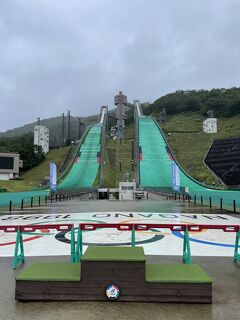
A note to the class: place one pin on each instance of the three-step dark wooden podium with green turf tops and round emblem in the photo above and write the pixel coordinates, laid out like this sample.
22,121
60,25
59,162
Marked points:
114,273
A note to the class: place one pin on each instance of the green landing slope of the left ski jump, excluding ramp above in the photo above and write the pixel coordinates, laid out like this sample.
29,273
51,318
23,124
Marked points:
84,169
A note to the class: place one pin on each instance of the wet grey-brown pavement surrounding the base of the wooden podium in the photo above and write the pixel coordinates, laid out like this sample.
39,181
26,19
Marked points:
226,303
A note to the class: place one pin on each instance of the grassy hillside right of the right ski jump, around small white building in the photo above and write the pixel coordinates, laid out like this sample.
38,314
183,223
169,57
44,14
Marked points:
190,144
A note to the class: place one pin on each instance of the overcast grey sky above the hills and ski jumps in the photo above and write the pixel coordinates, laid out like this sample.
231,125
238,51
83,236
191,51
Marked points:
60,54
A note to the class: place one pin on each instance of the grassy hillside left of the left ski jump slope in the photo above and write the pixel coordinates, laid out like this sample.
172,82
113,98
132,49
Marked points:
31,178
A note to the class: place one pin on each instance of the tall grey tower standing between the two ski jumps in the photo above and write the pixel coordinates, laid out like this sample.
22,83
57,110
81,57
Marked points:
120,101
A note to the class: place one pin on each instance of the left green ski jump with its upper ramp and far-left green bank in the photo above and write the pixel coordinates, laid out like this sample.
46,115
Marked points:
81,173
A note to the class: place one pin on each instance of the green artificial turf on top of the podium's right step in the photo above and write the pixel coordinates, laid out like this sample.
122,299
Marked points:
187,273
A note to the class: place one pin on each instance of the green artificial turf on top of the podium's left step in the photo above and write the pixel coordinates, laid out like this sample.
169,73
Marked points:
51,272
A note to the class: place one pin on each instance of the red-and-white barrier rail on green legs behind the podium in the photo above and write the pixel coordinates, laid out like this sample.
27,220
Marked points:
77,246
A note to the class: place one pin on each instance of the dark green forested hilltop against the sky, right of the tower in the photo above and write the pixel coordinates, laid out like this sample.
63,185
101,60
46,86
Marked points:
224,102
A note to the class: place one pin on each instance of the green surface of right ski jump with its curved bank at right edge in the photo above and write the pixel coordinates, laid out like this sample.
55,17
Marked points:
156,167
